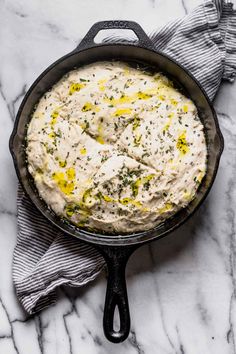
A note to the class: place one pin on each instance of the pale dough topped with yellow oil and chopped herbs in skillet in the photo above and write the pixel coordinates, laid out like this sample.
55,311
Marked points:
116,149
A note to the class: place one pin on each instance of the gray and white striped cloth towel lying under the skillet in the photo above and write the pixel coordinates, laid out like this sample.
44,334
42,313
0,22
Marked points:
205,43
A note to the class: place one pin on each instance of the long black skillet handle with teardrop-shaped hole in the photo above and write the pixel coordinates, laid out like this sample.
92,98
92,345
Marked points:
116,294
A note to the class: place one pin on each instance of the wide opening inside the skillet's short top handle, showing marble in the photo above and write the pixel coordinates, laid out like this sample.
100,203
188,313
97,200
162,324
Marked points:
115,34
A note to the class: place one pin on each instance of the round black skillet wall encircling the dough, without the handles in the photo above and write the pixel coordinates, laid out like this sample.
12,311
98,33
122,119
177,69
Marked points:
124,53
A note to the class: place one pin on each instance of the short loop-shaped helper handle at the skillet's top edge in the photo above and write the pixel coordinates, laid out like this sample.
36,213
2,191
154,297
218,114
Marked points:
88,40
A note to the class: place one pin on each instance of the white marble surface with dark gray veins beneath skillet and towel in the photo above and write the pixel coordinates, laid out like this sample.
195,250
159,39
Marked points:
182,289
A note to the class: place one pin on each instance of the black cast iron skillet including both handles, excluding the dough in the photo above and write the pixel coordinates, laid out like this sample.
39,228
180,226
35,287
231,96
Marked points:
116,249
